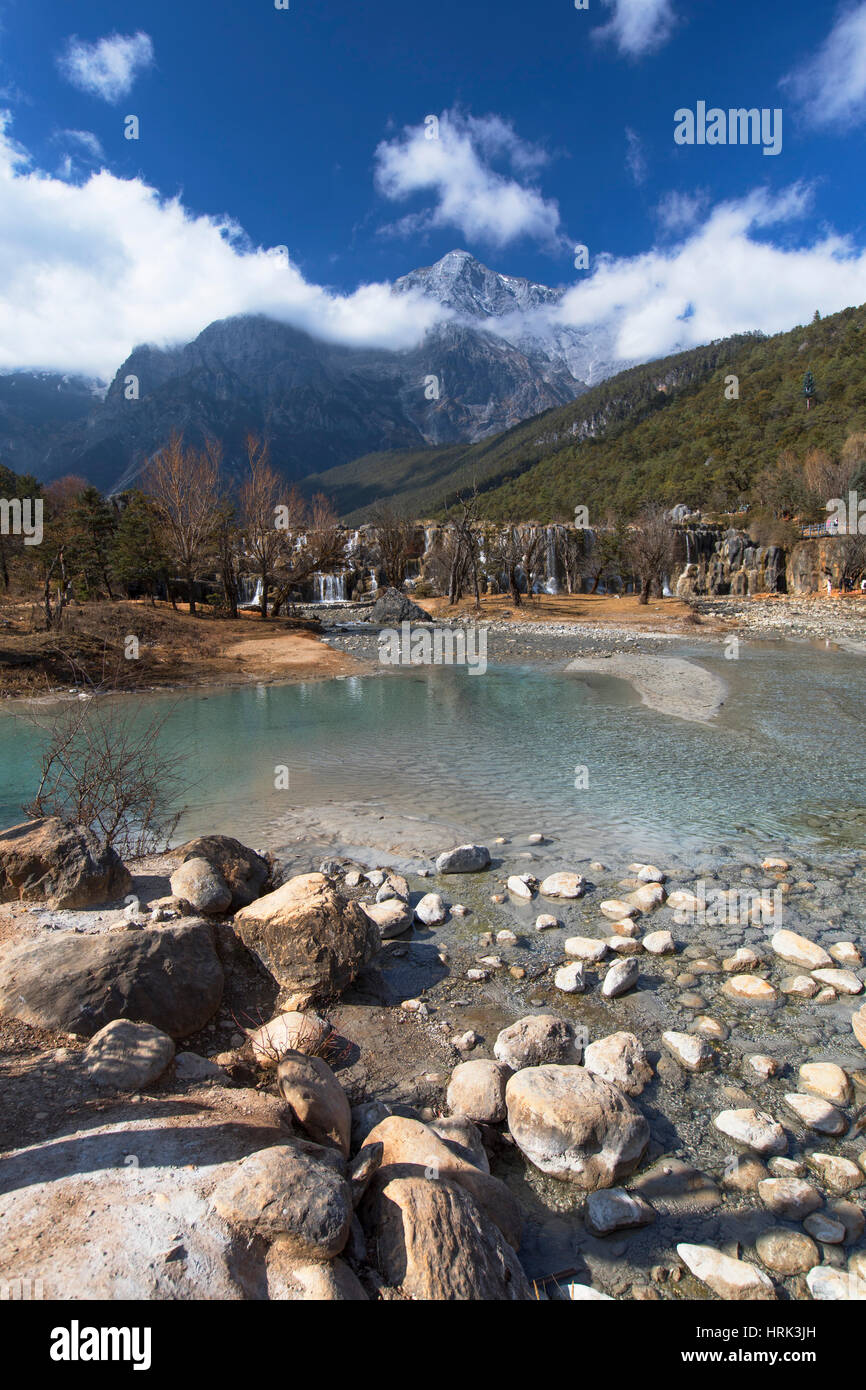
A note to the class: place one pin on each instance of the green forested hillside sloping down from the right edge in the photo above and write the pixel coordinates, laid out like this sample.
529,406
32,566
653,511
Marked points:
665,432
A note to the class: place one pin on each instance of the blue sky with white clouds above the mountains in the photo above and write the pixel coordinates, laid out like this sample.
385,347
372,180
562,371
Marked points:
305,129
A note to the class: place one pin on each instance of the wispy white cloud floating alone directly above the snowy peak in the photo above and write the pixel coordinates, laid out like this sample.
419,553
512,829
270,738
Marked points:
471,195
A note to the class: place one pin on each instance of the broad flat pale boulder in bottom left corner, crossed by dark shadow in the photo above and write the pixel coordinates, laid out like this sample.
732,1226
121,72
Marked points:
122,1210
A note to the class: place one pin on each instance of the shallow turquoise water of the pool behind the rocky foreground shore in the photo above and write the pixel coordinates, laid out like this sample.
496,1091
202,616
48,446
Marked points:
785,762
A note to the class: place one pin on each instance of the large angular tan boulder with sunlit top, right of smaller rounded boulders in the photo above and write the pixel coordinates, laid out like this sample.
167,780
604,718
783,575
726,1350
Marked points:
312,940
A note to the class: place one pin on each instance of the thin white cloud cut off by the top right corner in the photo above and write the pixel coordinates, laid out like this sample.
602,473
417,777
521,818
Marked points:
832,85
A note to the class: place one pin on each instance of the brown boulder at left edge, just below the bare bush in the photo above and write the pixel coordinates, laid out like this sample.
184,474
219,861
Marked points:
65,867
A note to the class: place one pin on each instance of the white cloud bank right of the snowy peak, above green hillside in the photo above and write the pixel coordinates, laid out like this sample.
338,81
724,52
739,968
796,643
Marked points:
725,277
